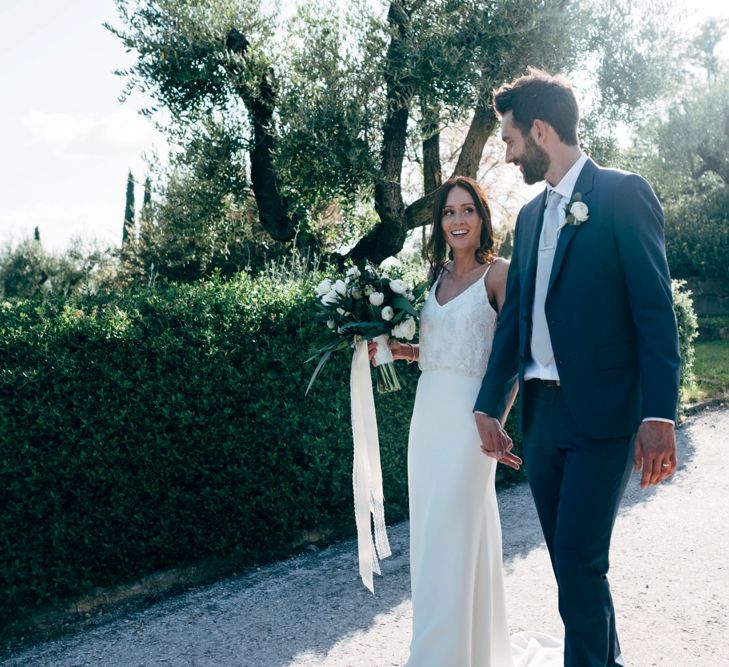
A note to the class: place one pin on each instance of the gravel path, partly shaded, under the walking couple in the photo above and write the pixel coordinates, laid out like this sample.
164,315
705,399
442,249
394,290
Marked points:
670,581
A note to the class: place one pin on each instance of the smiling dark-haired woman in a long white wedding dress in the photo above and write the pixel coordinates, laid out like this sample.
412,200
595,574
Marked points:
459,611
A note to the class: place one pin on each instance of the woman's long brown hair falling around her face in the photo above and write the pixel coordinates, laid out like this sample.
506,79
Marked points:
438,251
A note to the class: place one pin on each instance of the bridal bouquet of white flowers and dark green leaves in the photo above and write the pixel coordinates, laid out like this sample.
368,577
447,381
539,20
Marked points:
365,304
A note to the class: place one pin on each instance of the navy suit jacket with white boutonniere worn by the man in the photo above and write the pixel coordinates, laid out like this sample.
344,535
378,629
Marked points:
609,309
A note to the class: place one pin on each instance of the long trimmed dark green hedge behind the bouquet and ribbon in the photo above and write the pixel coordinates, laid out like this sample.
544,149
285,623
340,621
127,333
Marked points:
156,429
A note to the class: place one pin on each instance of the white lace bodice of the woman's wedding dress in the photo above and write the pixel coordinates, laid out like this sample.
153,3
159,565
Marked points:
457,336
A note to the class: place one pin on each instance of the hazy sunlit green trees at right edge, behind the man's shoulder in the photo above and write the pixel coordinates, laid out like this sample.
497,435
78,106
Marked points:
685,155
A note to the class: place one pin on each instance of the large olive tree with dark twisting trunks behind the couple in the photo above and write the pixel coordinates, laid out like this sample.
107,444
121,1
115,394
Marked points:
331,104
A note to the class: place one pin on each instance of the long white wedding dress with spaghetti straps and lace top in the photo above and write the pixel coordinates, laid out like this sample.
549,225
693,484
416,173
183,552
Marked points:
459,610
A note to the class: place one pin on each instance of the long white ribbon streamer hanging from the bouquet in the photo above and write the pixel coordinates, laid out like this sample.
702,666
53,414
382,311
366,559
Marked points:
367,472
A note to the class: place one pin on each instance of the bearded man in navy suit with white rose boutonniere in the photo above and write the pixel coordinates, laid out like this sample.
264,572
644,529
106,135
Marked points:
588,331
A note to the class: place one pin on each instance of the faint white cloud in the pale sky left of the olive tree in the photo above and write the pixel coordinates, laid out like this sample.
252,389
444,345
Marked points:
122,132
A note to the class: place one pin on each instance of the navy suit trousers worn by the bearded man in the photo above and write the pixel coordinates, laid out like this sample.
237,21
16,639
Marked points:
577,483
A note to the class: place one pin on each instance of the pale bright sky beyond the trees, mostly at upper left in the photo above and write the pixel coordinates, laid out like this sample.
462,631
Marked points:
67,141
